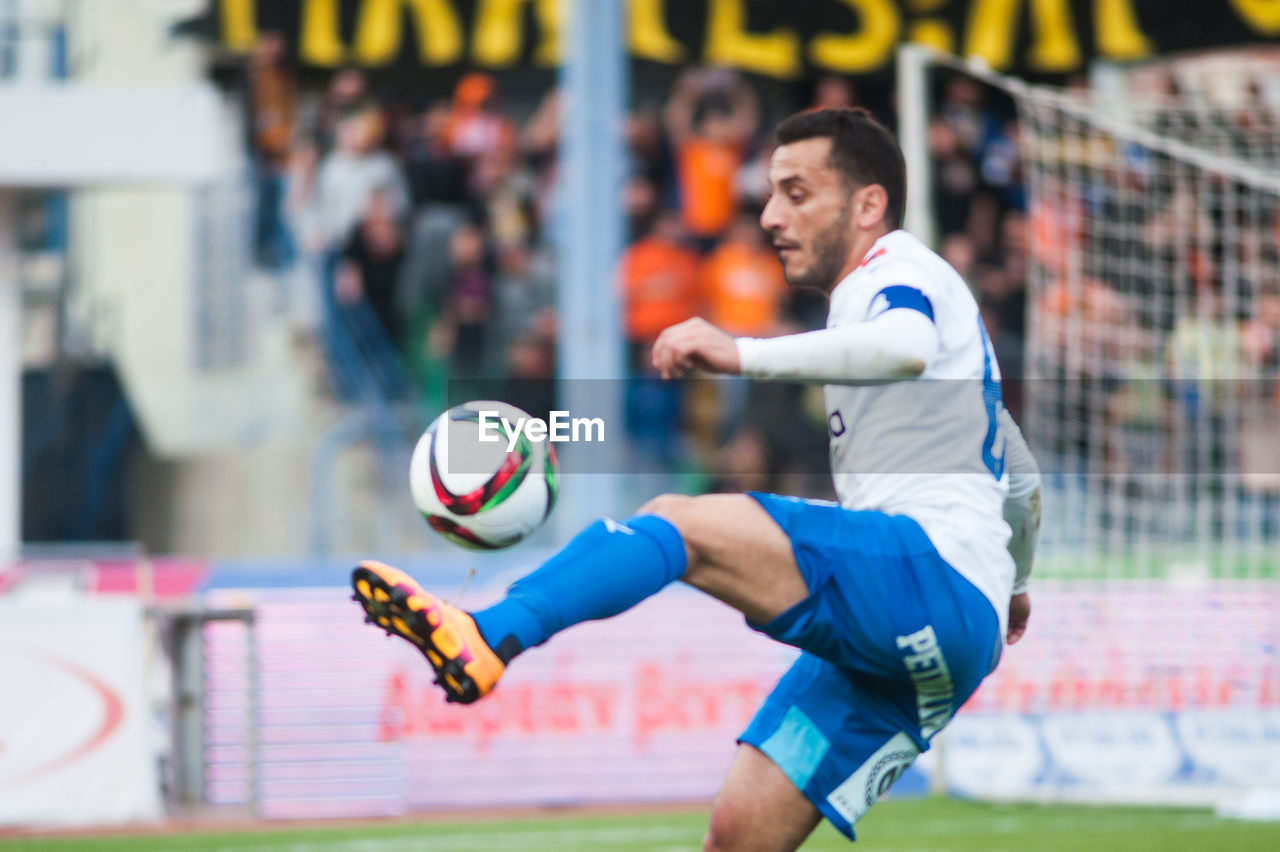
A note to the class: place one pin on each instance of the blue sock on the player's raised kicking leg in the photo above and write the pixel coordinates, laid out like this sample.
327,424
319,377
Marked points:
606,570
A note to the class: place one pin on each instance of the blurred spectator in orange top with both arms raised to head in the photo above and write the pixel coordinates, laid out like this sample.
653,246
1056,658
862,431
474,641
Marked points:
711,120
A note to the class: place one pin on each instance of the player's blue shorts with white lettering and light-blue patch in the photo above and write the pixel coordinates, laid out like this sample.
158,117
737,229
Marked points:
894,639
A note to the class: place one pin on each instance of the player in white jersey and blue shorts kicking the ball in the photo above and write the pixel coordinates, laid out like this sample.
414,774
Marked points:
899,598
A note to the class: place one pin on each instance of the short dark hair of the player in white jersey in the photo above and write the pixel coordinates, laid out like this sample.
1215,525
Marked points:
862,150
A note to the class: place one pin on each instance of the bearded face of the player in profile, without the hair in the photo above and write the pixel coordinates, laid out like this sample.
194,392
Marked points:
808,214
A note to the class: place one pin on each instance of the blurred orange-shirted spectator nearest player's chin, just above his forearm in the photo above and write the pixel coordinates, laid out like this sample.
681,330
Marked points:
743,285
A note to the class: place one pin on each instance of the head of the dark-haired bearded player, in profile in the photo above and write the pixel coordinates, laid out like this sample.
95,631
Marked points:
838,184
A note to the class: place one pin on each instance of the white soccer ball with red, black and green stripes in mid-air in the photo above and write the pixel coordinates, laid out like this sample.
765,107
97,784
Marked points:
479,483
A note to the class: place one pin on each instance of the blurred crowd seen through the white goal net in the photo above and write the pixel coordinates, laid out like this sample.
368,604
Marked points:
1160,308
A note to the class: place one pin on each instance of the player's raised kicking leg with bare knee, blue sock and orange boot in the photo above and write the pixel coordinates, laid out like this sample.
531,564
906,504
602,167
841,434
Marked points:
726,546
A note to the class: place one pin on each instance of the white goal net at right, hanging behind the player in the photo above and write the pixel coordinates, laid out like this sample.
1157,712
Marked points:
1154,310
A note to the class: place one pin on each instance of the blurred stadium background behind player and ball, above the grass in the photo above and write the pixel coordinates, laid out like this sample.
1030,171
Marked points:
249,250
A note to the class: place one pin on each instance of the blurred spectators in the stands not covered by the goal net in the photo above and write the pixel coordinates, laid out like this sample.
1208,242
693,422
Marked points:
432,227
